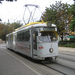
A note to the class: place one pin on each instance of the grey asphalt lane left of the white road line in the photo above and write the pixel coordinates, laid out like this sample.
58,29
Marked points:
11,65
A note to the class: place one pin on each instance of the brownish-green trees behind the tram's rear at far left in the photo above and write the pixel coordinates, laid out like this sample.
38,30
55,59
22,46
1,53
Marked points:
7,28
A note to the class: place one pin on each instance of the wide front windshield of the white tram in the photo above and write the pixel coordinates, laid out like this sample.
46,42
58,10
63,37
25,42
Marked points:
48,36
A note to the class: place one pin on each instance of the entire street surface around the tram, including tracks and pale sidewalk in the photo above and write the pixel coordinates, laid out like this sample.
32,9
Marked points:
12,63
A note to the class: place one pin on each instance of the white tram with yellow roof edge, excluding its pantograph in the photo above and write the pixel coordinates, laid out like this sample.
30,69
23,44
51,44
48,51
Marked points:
36,40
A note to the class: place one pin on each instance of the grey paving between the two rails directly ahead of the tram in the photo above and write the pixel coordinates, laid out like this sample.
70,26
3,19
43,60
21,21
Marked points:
59,67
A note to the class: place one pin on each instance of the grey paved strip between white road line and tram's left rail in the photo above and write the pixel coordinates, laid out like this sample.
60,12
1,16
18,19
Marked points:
41,68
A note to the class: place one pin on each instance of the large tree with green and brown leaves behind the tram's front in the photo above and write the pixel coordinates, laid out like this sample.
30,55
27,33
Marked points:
59,15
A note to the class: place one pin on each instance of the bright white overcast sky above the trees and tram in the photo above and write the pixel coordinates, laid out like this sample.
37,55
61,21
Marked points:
14,11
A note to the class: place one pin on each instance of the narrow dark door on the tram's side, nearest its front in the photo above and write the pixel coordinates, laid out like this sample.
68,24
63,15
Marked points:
34,43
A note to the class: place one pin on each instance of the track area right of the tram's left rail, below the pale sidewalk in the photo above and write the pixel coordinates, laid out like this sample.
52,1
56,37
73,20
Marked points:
64,65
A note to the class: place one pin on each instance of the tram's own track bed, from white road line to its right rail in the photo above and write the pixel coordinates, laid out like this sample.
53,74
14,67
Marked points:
45,69
